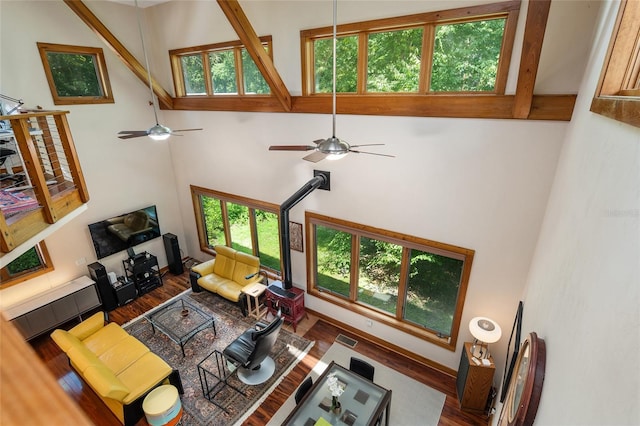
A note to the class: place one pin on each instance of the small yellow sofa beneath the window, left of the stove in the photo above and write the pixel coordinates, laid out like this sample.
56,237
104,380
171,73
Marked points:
225,275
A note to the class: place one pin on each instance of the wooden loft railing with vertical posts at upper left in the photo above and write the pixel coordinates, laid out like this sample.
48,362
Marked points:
40,176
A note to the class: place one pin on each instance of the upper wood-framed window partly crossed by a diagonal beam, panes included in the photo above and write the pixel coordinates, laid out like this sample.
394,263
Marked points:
218,69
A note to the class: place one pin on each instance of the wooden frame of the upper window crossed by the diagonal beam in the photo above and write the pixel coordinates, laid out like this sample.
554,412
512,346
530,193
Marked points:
236,46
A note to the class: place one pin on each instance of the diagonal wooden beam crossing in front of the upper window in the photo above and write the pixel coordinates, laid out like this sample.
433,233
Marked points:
240,23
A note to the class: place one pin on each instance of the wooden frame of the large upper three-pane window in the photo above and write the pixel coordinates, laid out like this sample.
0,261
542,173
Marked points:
429,20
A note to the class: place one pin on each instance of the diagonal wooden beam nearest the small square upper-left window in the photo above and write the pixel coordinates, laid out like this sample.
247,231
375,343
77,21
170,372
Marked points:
118,48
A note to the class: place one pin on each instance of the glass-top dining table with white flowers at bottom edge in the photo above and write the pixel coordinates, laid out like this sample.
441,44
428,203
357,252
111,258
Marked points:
363,402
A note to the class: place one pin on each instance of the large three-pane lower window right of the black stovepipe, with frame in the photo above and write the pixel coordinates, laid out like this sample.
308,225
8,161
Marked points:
410,283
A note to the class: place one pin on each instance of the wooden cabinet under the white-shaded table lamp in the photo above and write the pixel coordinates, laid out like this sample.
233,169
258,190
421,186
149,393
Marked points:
474,381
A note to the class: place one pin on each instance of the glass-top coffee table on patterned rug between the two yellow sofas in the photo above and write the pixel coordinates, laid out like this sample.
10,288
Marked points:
180,321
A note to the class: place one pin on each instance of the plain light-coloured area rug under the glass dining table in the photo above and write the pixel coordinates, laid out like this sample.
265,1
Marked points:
412,403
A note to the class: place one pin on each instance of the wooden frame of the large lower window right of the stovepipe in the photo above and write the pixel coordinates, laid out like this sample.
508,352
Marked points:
406,241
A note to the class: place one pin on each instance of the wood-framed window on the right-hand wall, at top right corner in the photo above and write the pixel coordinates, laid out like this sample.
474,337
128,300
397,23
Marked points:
618,94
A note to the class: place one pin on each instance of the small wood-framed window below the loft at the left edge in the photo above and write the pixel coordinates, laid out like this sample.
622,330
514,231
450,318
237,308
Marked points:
30,264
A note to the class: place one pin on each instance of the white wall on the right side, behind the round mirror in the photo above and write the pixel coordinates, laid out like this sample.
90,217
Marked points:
582,295
